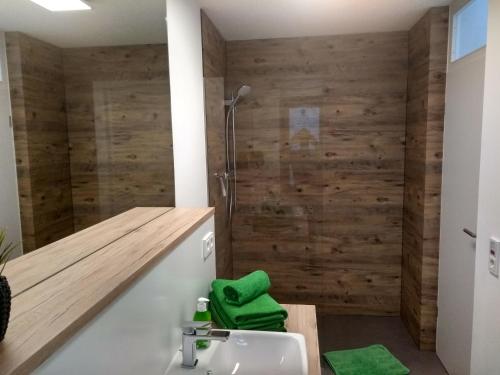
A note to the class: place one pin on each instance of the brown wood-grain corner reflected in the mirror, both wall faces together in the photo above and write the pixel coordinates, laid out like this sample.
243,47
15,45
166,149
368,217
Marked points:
92,133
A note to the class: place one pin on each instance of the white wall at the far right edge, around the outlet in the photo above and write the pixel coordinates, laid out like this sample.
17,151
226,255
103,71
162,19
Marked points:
486,327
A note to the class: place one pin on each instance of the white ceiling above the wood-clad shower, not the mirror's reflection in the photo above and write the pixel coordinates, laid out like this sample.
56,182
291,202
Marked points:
259,19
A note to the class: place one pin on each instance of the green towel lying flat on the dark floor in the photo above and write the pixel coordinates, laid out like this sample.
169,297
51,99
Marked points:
372,360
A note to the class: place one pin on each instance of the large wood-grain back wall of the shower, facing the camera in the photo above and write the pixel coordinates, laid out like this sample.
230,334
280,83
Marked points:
320,167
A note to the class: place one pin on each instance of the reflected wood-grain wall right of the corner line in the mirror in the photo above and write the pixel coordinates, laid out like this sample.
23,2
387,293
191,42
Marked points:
118,109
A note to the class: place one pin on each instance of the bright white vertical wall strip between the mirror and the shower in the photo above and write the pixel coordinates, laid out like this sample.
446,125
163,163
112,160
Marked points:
188,104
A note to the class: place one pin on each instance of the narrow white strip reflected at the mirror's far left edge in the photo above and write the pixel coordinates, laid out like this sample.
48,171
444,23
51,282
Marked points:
9,200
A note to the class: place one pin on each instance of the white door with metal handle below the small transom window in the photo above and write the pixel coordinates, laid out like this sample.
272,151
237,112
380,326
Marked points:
462,143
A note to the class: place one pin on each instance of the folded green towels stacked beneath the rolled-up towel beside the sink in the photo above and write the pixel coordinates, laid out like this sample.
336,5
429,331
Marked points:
263,311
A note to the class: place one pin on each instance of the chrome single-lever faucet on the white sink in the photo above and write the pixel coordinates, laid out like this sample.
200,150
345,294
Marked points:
194,331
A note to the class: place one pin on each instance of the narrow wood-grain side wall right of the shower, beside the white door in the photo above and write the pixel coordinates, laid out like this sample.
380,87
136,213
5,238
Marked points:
428,43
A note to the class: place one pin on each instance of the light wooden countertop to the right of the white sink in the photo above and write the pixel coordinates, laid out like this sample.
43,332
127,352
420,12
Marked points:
302,319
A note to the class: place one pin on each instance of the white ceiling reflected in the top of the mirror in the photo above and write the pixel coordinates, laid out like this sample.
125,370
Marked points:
110,22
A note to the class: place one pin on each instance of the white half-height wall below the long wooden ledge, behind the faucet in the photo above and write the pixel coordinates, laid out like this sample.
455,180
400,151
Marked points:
140,332
